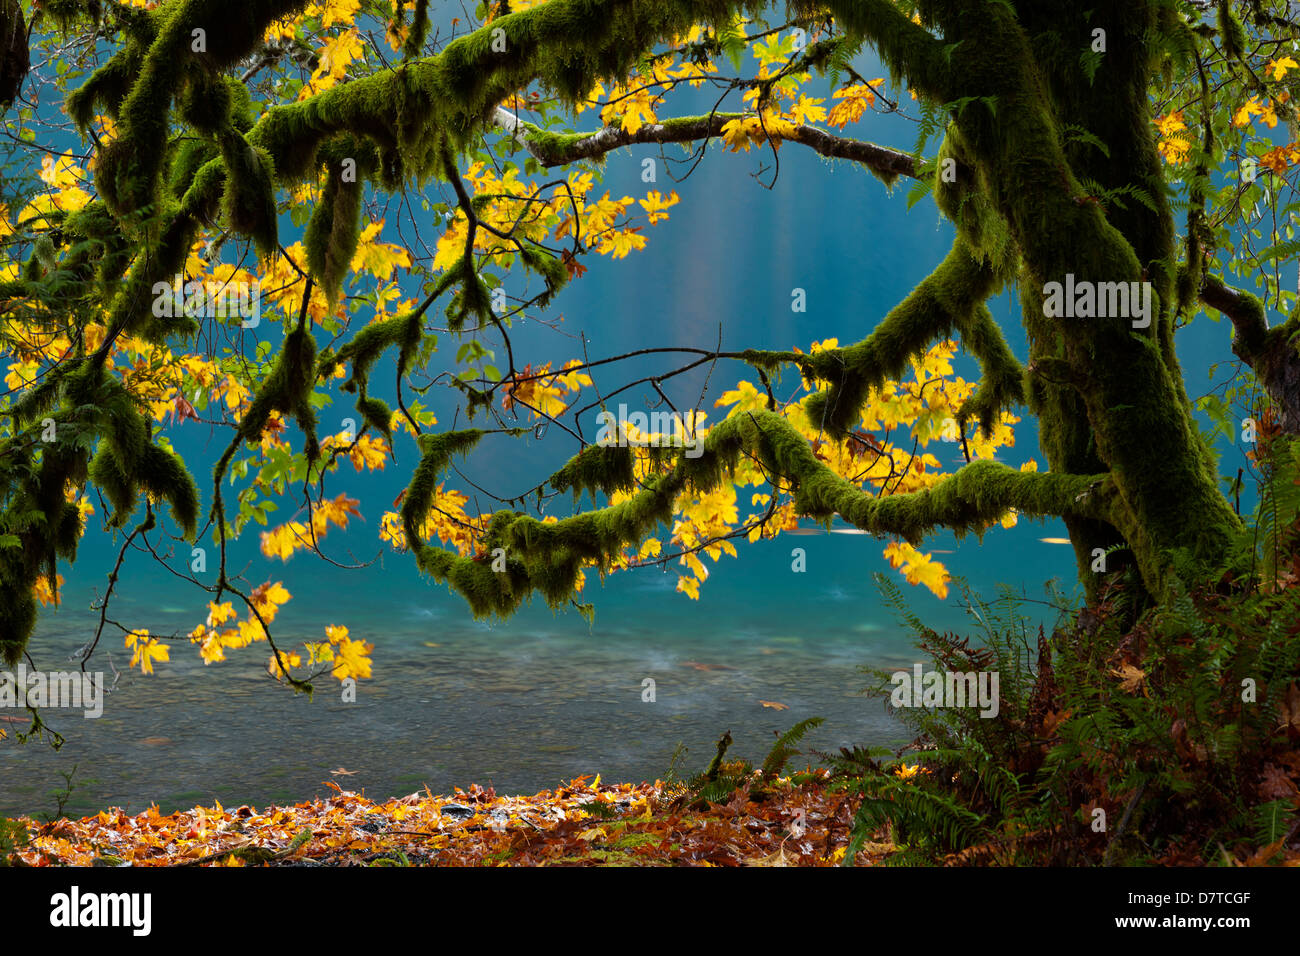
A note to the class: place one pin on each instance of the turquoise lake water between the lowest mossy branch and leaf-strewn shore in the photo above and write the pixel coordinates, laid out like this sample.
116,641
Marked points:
521,706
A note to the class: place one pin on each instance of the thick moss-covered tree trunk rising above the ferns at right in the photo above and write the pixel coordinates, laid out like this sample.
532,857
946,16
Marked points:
1104,377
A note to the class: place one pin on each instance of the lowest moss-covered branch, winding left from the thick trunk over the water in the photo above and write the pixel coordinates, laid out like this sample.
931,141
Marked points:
548,557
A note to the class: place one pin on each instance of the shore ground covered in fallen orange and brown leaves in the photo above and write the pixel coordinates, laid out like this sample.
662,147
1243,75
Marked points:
586,824
